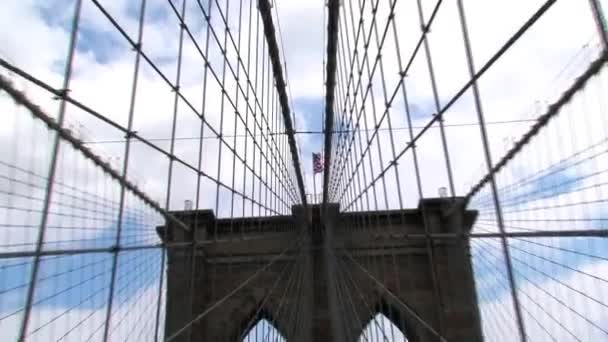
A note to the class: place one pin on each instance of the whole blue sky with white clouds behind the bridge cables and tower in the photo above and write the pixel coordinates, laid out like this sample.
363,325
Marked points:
34,36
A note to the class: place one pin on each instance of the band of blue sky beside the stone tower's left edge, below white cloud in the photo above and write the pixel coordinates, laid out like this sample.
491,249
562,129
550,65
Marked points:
87,274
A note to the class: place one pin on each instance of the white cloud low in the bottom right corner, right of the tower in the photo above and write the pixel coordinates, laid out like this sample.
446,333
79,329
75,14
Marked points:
550,309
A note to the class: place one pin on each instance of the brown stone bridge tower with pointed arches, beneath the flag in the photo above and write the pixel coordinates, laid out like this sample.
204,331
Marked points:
386,256
